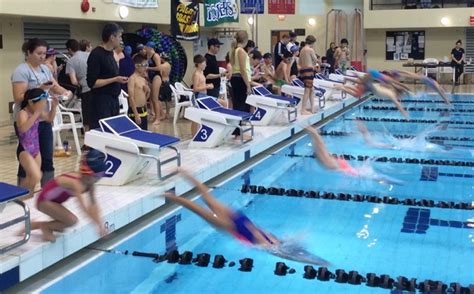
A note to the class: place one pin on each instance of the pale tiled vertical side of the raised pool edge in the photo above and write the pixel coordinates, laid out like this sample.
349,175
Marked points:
19,267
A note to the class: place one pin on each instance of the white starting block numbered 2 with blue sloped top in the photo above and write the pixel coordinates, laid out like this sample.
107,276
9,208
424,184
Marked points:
130,150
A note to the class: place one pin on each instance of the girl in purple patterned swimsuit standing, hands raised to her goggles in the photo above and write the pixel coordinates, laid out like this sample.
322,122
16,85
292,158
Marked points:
27,121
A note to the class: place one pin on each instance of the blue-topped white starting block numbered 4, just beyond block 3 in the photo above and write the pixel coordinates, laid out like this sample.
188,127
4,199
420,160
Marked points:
269,106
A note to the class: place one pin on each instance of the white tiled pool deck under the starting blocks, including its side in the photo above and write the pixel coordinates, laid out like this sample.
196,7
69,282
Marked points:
121,205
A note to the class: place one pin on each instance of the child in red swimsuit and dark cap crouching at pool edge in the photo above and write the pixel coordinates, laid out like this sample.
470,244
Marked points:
65,186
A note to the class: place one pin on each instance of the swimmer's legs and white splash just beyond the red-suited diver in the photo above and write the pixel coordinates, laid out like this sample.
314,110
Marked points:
386,141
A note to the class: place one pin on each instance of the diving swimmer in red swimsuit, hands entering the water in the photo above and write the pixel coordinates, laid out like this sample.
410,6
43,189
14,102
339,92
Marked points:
341,165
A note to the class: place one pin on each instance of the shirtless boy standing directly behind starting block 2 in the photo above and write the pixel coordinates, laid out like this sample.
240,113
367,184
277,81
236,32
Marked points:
138,92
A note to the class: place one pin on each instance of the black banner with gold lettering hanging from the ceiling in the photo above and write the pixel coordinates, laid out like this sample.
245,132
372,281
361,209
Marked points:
185,20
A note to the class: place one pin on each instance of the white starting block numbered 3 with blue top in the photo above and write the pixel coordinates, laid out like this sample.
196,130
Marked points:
217,122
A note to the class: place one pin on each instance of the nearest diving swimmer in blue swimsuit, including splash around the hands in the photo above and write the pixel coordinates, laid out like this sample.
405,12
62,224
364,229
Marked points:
238,225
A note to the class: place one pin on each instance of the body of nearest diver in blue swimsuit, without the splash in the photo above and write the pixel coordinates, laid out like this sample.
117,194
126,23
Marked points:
222,217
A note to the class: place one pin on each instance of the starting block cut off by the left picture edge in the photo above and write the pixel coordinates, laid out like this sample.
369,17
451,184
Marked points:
10,193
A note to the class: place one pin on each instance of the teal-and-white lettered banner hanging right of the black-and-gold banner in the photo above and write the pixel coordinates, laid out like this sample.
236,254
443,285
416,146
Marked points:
217,12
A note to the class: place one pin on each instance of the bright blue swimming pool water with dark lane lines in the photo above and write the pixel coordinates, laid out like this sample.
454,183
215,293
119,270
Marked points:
413,241
